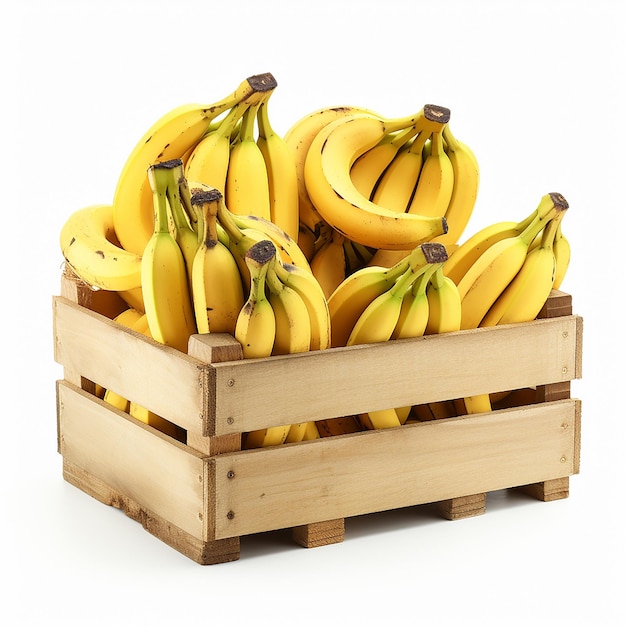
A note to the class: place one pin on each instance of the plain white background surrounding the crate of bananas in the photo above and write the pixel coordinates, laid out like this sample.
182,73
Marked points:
535,88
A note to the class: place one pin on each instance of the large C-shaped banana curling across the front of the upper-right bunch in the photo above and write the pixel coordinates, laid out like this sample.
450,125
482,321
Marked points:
327,174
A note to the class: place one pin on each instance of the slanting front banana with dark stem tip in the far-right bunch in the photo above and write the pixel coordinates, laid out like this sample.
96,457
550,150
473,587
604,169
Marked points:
487,278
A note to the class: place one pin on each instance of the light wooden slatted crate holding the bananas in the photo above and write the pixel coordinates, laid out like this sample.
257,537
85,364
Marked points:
200,492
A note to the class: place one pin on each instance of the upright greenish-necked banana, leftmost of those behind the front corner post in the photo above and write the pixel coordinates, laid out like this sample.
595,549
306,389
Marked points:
164,281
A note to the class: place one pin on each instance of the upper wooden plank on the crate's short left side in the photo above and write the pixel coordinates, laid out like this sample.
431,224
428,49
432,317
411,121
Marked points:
166,381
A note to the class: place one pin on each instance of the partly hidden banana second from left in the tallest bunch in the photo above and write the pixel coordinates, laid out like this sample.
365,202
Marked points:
208,162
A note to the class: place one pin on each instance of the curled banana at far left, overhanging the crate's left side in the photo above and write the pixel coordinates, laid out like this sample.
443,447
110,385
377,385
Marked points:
90,248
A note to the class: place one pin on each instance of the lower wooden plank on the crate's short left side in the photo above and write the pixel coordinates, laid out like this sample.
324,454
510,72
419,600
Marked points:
136,461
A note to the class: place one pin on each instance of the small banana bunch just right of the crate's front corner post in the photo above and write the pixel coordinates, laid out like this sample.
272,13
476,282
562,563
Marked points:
285,313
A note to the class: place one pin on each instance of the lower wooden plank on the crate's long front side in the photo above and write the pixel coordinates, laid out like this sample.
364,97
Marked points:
357,474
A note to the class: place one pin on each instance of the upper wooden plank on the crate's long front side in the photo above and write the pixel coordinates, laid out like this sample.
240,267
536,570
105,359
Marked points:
257,393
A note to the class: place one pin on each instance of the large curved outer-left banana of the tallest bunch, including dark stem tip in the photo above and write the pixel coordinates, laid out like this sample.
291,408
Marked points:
170,137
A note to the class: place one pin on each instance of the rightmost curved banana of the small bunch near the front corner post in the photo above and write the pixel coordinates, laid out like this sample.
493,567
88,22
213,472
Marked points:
309,289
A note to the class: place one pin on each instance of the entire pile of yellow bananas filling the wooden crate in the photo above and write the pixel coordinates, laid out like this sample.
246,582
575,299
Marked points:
345,231
